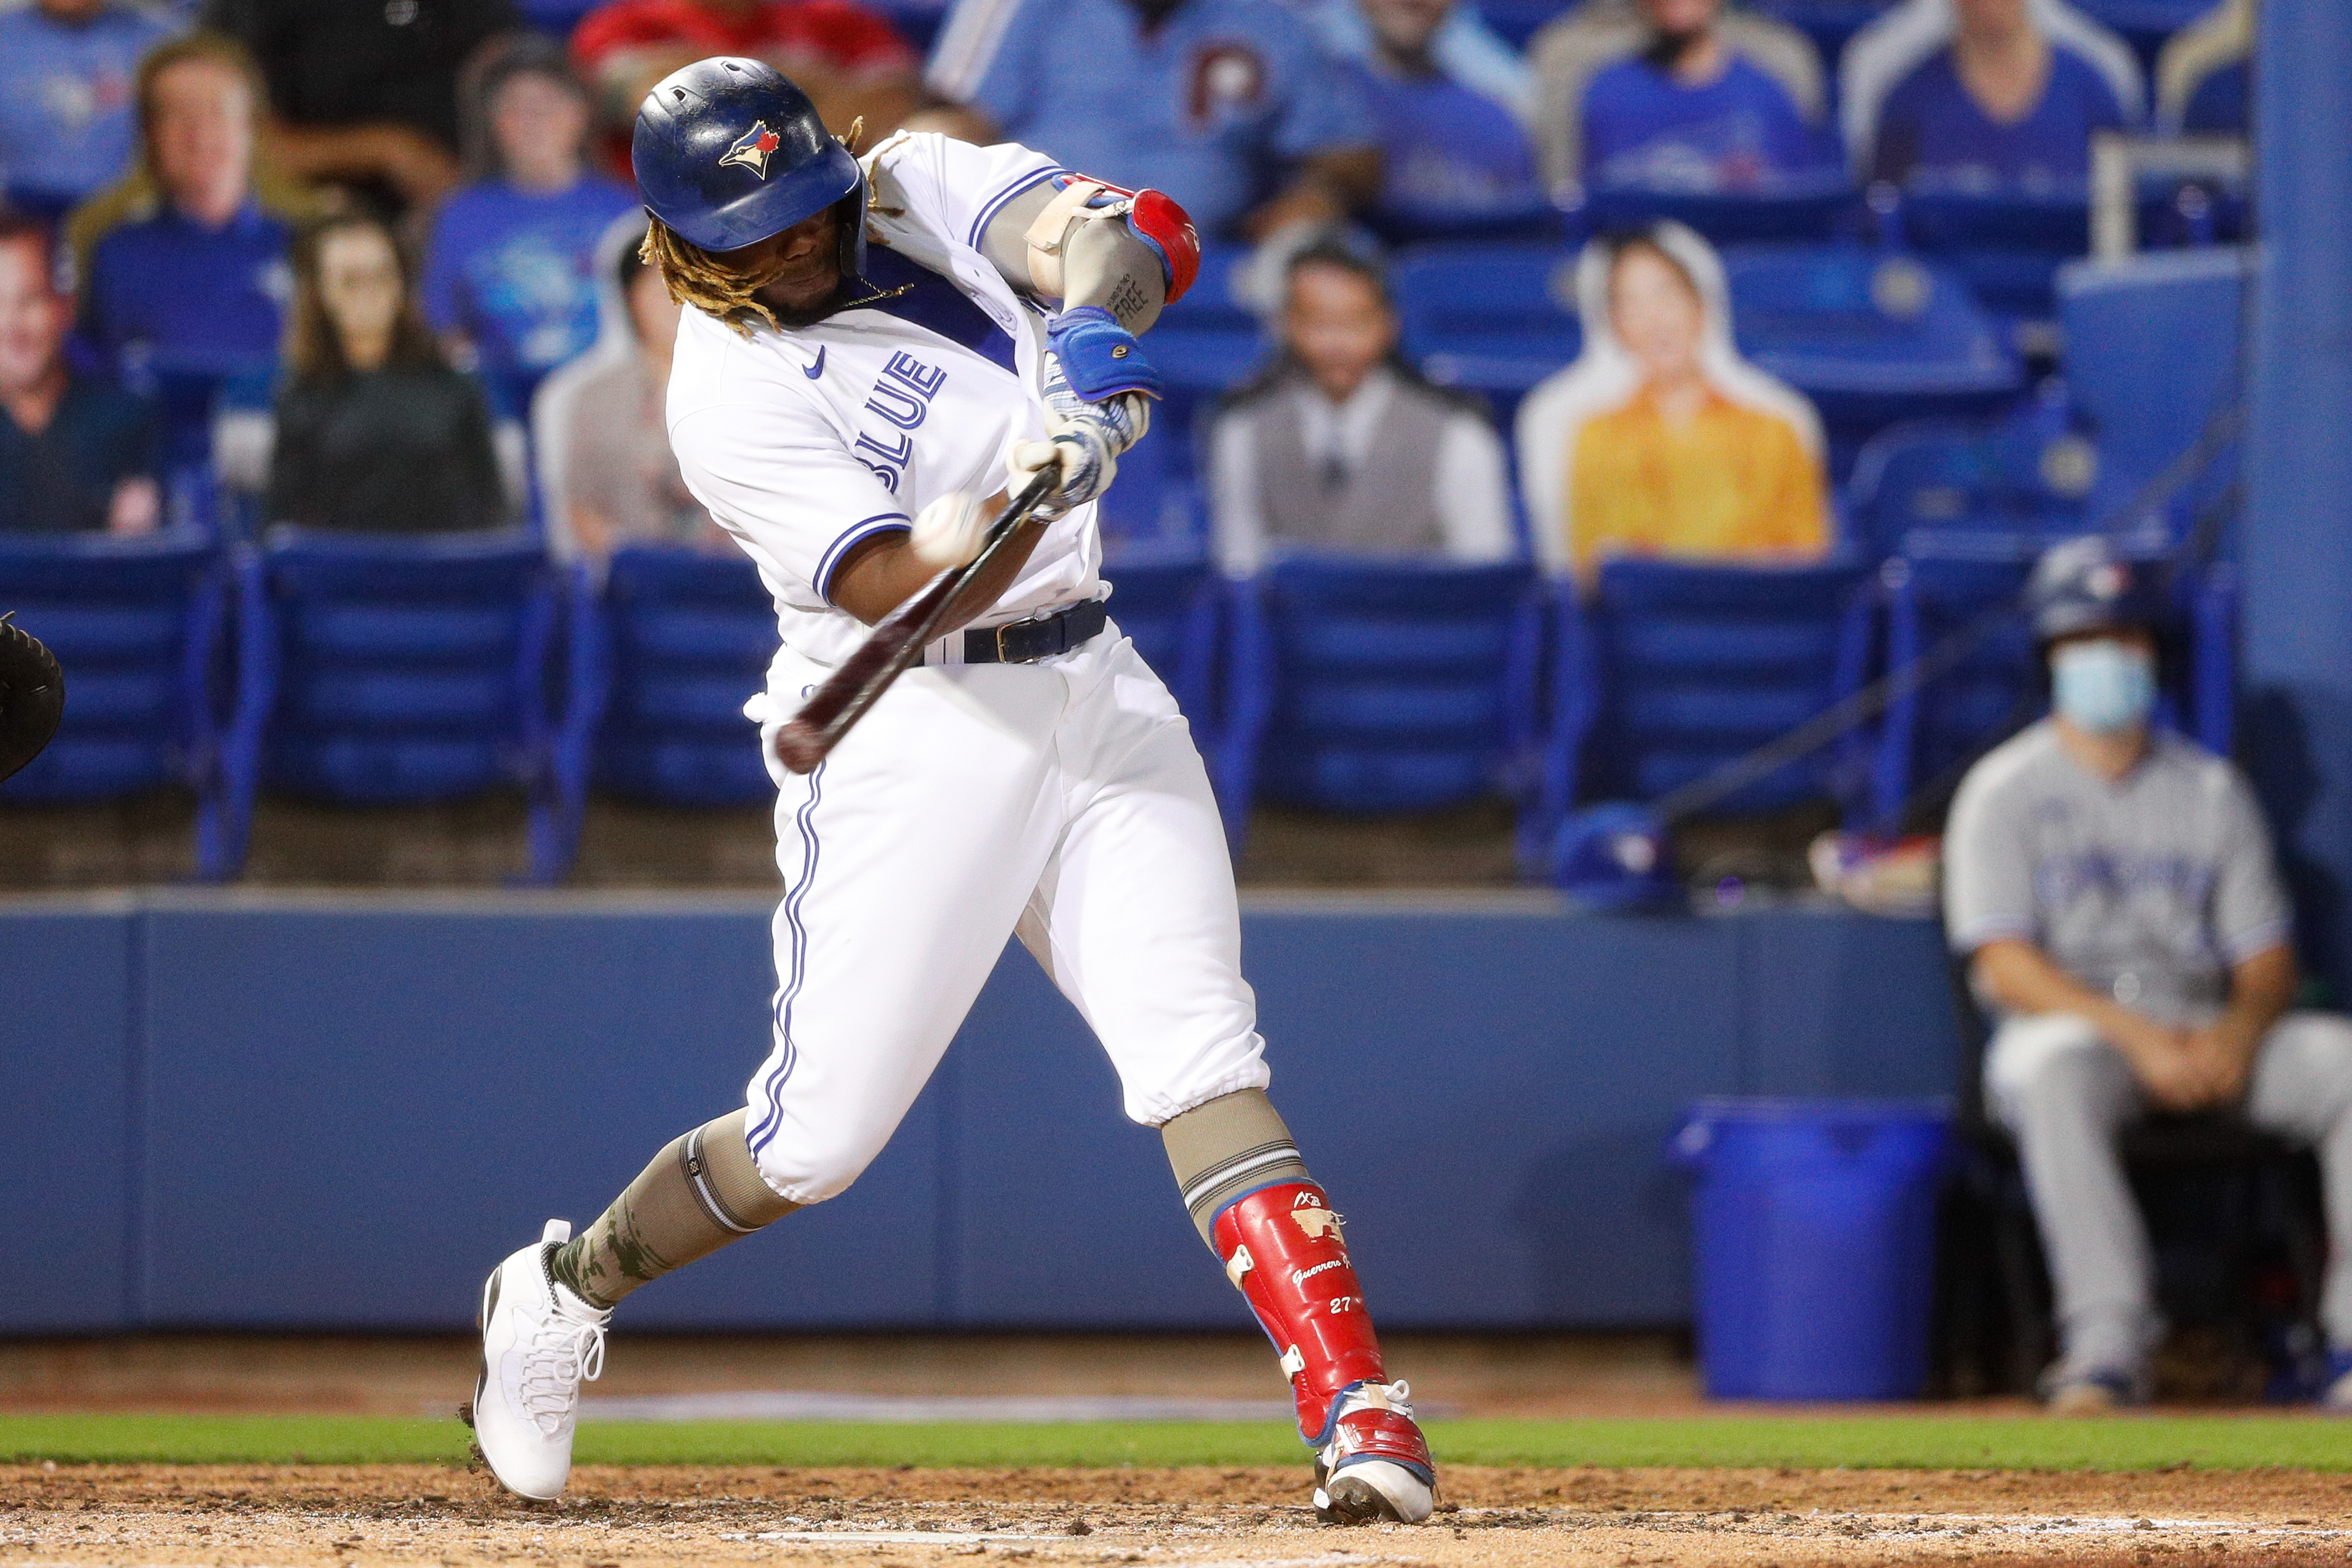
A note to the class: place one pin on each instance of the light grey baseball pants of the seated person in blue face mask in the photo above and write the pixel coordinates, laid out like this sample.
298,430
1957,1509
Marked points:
2064,1094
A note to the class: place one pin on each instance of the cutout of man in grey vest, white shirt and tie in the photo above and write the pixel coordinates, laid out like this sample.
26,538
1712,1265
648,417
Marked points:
1342,450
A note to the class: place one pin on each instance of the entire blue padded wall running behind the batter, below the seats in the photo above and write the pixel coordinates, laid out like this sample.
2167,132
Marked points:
338,1113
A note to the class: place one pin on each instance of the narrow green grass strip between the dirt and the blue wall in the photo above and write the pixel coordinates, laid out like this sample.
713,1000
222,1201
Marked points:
1808,1442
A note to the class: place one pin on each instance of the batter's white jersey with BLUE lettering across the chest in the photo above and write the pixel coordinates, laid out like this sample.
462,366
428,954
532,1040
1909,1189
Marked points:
806,443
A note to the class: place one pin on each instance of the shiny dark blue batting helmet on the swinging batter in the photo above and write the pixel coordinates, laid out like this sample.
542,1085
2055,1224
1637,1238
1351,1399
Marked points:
728,154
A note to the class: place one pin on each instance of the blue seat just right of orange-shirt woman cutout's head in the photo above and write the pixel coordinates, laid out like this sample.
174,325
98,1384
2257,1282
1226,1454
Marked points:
1871,337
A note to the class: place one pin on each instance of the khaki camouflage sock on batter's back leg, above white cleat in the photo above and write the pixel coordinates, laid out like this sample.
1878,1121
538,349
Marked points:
700,1195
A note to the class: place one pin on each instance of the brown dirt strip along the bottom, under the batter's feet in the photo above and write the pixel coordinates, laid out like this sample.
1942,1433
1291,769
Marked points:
295,1517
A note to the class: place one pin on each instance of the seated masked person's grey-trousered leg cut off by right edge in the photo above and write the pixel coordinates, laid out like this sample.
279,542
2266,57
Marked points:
2304,1087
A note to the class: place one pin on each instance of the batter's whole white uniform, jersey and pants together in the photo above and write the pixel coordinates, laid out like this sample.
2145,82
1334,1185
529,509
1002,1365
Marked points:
1060,800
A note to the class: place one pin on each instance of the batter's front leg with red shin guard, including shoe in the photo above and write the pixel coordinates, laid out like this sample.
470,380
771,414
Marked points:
1137,923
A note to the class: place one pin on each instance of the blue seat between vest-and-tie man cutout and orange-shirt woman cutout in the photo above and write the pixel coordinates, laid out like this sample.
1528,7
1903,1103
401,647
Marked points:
1497,319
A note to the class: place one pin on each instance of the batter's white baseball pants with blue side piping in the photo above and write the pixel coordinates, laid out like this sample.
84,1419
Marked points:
1062,803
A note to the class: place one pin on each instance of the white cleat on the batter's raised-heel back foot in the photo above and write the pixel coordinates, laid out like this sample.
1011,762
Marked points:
540,1343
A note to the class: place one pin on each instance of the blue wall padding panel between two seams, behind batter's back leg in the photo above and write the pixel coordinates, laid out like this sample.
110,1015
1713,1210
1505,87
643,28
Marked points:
354,1113
